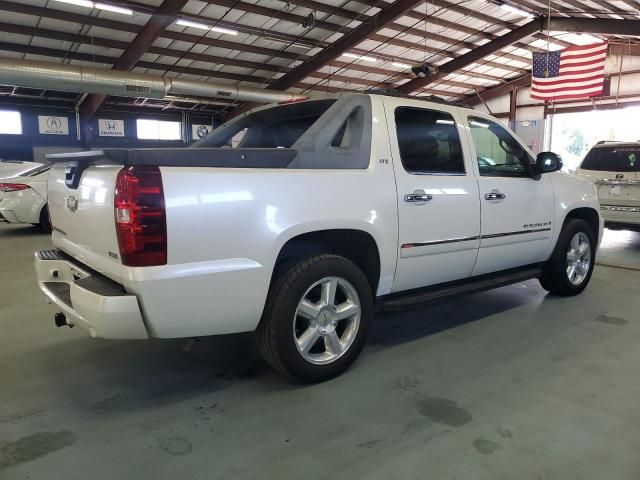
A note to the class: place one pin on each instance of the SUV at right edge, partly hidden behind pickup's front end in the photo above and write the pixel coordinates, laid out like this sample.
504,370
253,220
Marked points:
615,169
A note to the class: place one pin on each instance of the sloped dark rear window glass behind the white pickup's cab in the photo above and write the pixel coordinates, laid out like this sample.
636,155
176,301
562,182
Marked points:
276,127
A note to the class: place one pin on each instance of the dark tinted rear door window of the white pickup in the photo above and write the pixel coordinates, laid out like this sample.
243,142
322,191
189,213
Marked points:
428,141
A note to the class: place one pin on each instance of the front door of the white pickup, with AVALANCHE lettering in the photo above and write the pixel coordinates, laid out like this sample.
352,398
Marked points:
516,210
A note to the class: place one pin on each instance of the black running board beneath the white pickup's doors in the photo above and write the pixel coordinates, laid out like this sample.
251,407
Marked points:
401,301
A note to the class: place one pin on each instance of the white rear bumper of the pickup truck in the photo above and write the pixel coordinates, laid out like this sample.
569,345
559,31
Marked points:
88,299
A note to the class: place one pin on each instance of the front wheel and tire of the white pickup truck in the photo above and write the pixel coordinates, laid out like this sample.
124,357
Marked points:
569,269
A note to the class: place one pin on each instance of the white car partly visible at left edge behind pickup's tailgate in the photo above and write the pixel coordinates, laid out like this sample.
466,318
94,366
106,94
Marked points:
23,198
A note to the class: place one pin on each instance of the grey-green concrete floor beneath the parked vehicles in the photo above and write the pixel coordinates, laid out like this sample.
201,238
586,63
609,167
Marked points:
508,384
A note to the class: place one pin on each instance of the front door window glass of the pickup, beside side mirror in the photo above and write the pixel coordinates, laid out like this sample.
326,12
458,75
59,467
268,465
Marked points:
498,153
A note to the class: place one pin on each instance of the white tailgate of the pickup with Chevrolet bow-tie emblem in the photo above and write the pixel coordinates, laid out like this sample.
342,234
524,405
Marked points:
83,217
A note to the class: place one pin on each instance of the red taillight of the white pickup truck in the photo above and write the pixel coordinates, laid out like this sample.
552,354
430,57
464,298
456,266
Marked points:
140,217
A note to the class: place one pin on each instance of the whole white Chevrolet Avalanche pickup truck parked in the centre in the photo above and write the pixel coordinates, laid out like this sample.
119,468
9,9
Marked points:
298,220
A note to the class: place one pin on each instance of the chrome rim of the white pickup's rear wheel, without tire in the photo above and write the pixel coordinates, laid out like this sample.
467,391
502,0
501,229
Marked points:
326,320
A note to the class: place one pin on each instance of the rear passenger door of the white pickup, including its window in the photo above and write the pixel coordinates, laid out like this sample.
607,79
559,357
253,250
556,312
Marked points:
438,208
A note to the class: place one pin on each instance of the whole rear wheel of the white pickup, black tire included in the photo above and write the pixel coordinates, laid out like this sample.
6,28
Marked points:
316,318
